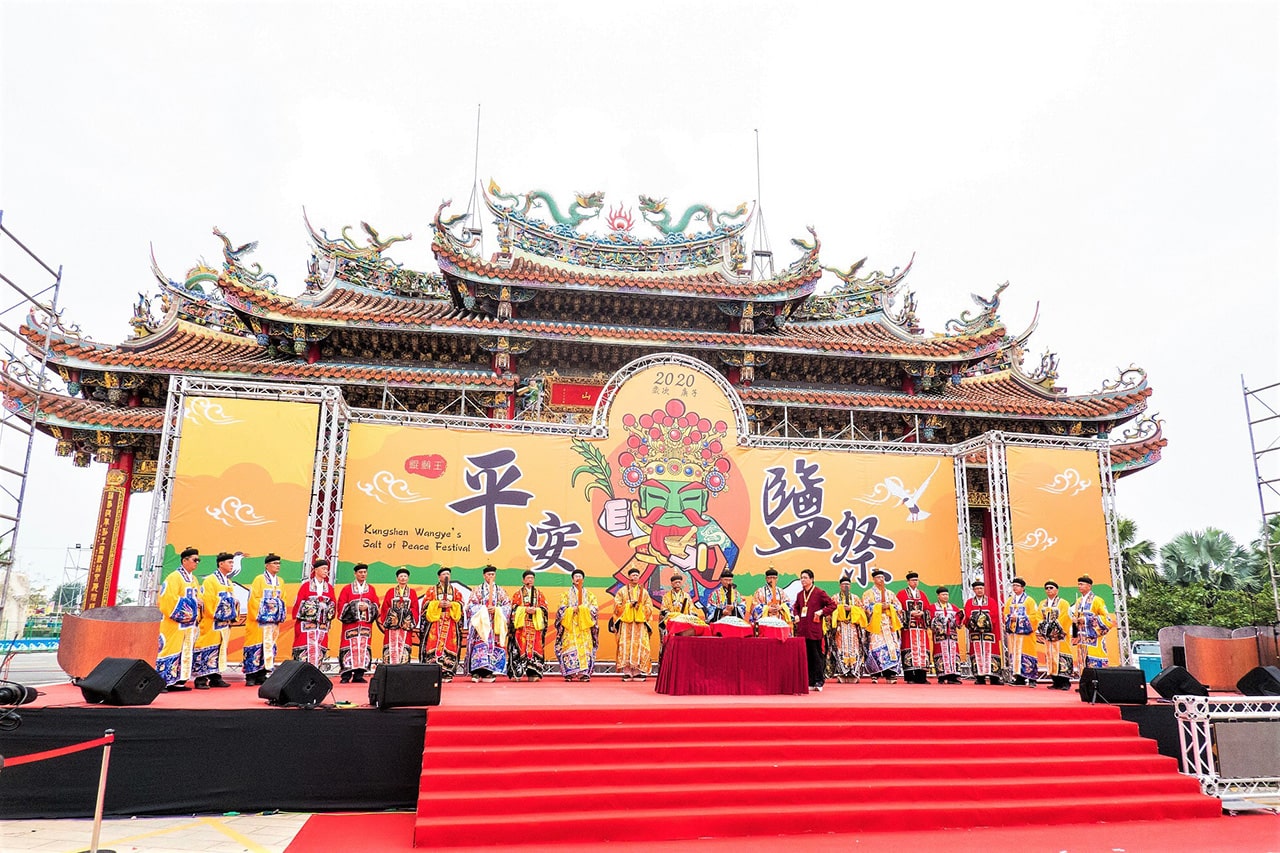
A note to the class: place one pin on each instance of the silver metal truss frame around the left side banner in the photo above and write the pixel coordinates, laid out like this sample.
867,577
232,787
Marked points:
324,518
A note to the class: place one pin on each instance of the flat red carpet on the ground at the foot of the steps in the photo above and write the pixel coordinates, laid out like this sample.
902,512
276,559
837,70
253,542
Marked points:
1241,834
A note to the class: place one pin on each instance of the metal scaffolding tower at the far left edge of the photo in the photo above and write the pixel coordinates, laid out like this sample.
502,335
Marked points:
38,307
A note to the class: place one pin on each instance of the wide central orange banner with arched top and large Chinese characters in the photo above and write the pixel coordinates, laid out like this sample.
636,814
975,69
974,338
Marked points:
669,490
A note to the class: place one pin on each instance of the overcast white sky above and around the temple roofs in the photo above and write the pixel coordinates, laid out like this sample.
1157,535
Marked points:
1116,162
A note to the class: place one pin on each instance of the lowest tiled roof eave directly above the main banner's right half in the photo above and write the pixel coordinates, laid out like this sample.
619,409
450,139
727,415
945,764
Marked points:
995,399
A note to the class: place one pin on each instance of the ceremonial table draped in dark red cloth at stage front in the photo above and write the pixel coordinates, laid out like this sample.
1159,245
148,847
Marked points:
733,667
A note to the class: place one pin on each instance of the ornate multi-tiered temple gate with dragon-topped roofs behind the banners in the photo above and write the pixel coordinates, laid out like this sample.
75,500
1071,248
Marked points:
534,329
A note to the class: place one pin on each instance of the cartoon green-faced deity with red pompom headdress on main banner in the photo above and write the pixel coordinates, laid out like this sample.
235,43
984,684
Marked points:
675,462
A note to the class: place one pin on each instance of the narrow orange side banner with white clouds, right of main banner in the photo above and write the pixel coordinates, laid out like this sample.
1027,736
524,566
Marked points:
1058,523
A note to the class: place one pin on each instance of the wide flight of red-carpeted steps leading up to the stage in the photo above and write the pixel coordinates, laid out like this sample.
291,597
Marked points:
560,776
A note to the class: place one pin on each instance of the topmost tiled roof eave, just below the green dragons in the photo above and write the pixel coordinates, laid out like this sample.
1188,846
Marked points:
525,271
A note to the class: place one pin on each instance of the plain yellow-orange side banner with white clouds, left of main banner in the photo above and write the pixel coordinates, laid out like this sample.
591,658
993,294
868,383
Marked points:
243,481
